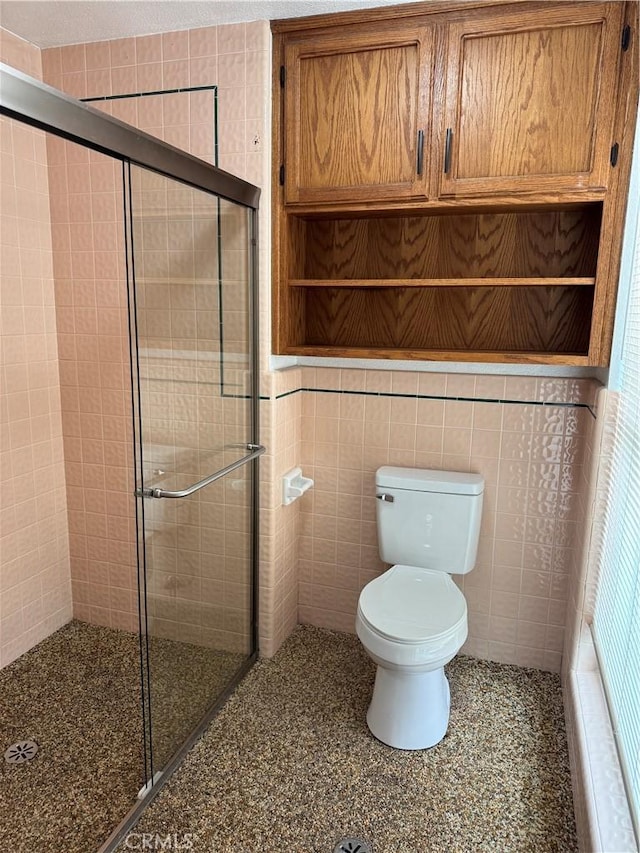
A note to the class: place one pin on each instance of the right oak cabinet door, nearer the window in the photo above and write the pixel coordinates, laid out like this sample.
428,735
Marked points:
530,100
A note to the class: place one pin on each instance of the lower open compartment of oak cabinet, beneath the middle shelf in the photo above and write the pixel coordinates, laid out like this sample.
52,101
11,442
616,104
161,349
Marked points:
553,319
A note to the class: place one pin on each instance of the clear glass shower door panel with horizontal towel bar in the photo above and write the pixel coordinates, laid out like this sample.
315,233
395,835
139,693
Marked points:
190,277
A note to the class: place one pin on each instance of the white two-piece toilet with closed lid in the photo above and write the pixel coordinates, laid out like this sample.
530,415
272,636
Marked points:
412,620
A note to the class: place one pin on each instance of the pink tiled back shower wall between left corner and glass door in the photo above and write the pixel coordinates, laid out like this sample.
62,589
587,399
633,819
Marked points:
91,316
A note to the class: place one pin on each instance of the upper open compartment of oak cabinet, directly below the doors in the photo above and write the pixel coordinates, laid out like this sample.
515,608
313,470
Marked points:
558,242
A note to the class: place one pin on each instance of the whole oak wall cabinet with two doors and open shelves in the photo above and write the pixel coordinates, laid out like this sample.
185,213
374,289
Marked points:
449,186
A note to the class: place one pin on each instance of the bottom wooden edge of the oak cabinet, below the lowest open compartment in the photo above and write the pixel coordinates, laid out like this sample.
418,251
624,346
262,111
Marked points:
567,359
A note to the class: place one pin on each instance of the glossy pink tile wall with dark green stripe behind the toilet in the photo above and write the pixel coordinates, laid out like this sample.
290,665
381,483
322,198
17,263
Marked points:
525,435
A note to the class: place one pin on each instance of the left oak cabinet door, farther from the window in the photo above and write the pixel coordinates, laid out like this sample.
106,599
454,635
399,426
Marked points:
356,116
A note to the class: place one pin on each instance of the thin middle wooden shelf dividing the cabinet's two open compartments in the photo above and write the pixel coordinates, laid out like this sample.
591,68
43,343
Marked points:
444,282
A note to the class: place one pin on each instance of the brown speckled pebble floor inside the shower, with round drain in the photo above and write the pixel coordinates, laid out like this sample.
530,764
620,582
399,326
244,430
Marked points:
77,694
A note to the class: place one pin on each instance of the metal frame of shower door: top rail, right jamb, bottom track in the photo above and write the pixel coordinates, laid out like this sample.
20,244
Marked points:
31,102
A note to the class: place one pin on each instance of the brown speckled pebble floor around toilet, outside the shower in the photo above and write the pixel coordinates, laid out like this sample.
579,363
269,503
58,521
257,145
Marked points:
289,765
